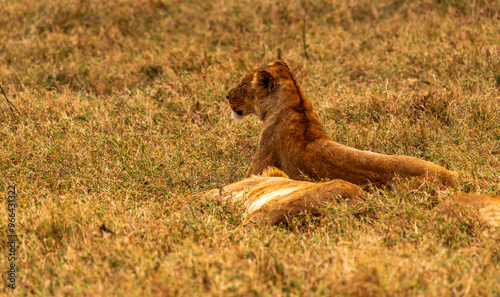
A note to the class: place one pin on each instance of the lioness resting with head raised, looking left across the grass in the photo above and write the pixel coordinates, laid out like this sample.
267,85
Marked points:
293,138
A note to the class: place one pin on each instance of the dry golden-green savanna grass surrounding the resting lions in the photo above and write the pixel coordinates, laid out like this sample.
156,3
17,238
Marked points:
122,120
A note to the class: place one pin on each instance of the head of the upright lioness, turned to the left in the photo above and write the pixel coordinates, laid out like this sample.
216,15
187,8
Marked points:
260,91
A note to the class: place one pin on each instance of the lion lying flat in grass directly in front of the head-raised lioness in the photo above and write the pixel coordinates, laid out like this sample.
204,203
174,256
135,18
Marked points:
272,197
